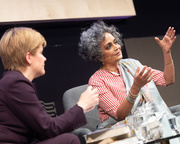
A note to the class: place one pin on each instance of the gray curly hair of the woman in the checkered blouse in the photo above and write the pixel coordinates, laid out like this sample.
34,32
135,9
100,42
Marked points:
90,40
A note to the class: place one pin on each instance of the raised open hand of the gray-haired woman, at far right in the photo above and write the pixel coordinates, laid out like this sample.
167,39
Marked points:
167,40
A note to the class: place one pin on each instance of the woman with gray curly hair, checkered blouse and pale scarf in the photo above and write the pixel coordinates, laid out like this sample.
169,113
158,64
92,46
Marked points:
124,84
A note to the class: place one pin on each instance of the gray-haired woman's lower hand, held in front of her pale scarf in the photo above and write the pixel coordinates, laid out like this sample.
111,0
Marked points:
141,78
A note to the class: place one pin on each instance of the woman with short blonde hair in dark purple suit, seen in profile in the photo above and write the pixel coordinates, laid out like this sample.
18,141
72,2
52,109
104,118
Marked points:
23,118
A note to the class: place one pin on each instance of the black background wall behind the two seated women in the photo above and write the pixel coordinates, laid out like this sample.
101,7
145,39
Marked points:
65,69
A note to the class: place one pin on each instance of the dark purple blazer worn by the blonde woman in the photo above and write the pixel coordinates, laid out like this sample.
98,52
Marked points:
22,115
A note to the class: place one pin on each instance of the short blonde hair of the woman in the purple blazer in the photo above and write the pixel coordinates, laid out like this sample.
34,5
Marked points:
16,43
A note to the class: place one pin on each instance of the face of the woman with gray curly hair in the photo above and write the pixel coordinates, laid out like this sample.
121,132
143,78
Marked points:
111,50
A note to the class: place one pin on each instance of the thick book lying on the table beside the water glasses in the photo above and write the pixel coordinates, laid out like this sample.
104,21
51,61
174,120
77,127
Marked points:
113,133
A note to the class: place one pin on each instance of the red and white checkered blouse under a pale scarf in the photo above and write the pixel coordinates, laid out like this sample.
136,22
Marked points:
112,90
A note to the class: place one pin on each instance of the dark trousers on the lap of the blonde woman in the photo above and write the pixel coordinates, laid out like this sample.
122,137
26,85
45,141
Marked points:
66,138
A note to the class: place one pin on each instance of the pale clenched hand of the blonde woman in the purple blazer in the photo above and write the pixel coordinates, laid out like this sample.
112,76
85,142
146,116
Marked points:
88,99
